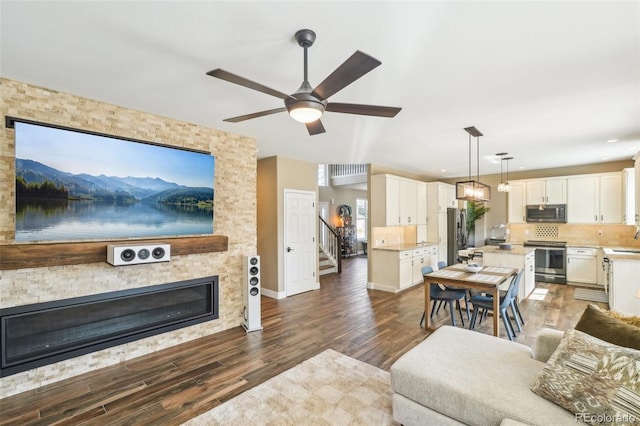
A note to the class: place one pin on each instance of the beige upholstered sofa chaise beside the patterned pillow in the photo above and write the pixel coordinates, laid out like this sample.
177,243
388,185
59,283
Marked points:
457,376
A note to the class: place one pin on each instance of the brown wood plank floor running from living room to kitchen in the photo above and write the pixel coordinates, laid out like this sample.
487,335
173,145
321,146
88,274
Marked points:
176,384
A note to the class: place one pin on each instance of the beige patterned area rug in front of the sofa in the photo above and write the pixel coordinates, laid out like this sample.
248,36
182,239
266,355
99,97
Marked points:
328,389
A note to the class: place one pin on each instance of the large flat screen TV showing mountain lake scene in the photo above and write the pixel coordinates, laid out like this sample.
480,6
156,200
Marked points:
77,185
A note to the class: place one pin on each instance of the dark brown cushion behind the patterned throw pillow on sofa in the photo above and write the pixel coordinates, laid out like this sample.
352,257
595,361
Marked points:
602,325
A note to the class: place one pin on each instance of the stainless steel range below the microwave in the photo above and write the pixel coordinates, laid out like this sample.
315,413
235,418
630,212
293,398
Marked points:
551,260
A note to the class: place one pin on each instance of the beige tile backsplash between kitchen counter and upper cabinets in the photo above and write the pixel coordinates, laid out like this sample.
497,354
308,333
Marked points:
596,235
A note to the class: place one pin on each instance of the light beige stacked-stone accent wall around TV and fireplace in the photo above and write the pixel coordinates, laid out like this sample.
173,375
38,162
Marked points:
234,216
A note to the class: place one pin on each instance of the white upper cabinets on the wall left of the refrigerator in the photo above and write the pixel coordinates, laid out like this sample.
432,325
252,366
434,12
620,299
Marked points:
397,201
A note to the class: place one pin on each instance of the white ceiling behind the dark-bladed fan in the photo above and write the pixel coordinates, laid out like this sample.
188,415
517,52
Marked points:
548,82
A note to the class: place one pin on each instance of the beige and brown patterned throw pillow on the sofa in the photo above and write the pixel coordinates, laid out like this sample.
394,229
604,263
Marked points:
597,381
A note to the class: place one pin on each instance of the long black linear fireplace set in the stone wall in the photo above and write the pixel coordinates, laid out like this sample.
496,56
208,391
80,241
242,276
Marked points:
40,334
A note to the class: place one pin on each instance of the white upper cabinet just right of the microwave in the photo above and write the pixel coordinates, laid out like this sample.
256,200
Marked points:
595,199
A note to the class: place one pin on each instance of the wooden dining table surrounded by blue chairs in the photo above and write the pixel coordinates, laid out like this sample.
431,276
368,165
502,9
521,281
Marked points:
488,280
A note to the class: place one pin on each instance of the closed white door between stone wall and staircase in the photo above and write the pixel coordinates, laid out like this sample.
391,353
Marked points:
300,250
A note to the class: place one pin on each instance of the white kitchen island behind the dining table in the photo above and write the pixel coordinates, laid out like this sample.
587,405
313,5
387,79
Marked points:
518,257
